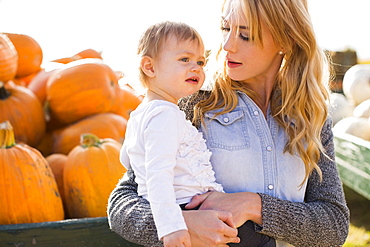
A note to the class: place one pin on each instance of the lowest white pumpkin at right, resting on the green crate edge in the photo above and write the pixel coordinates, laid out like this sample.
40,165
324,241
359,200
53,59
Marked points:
359,127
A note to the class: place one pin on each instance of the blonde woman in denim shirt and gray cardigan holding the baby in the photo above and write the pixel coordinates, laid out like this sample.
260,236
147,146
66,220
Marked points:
266,124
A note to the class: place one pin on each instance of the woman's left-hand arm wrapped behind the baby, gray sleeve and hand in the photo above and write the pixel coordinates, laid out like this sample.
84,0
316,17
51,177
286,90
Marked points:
130,216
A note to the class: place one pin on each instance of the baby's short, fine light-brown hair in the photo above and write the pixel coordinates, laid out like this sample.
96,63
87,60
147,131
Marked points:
154,38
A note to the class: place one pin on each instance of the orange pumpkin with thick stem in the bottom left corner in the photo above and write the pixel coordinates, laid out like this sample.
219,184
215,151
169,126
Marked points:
29,191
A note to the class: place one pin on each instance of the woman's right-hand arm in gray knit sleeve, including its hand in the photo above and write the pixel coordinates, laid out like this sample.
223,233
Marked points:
322,220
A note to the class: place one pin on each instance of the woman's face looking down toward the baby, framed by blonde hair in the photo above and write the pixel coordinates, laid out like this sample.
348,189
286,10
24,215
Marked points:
246,60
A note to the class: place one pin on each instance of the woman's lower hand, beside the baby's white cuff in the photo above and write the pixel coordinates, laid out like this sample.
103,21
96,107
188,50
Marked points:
210,228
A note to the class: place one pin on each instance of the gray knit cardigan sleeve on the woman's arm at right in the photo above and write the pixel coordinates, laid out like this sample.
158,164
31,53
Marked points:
323,219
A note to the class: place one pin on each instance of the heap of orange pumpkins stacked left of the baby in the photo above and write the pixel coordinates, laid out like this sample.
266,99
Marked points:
62,124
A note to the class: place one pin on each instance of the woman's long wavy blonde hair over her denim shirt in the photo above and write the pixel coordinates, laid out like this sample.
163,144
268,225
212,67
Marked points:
298,100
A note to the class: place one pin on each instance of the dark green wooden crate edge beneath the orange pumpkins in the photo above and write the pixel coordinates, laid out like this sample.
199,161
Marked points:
87,232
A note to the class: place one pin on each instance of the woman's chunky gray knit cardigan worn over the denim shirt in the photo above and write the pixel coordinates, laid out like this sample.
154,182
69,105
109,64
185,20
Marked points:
321,220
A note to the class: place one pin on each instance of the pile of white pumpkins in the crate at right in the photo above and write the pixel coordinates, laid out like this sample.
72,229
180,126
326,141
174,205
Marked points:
351,110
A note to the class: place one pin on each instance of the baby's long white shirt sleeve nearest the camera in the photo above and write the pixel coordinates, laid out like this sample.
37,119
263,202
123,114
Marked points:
162,139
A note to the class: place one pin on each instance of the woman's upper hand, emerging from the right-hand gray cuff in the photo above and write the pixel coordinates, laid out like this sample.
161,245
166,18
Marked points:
243,205
